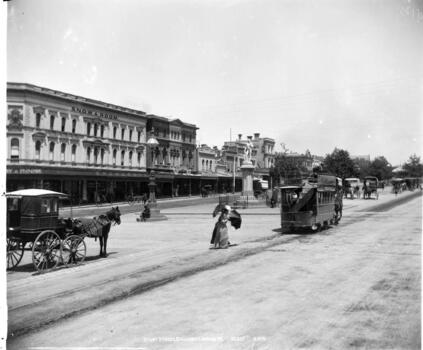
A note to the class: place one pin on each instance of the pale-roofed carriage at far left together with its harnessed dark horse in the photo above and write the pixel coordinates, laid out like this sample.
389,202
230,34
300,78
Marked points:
33,224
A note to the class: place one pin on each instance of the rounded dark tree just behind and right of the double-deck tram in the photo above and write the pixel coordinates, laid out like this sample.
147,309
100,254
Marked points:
340,164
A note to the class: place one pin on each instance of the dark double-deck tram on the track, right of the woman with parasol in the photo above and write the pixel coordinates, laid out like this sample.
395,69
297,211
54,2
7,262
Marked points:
315,204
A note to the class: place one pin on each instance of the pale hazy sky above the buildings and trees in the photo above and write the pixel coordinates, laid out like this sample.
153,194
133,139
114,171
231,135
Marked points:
310,74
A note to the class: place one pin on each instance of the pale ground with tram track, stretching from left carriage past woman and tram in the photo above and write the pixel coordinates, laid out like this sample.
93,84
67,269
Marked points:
143,256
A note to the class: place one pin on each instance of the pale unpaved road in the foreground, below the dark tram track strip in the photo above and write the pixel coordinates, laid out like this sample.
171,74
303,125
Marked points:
354,285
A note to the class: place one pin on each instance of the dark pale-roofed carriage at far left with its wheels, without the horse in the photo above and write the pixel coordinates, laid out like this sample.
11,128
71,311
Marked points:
33,224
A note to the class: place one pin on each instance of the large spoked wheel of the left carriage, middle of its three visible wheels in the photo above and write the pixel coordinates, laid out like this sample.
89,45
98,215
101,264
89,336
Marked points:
46,250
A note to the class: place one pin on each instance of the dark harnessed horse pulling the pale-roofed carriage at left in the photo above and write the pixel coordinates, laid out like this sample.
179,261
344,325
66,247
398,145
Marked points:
98,227
